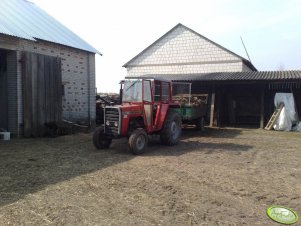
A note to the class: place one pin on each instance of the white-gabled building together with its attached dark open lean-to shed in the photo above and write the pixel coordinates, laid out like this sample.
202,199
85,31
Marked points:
240,95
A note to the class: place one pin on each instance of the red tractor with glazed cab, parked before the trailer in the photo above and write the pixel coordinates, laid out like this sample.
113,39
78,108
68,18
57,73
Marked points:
147,108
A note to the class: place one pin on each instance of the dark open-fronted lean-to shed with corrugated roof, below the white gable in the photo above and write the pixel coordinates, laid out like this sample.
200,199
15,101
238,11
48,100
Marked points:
241,98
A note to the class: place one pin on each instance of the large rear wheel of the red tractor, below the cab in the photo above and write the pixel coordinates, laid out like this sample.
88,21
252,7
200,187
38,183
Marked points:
172,129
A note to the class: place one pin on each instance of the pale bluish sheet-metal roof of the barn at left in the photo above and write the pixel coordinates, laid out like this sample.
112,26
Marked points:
23,19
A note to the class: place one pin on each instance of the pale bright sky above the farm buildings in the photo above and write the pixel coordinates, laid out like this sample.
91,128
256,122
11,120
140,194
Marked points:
121,29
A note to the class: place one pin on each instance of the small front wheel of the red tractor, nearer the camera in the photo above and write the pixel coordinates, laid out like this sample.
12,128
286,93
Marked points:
138,141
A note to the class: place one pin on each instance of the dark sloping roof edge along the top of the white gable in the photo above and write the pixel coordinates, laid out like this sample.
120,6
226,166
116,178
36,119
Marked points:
245,61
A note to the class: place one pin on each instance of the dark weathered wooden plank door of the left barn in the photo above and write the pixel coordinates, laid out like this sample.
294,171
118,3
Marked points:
42,84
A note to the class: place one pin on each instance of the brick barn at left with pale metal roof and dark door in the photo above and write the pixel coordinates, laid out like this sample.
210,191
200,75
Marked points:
47,73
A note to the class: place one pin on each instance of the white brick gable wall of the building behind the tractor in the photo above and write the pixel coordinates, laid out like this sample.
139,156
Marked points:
183,51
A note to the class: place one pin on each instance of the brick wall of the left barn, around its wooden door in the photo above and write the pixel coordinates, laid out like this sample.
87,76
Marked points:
78,76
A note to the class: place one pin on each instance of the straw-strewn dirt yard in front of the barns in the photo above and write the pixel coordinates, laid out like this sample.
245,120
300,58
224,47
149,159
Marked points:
218,177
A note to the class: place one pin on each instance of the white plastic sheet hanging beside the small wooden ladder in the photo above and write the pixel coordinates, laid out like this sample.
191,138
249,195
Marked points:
288,115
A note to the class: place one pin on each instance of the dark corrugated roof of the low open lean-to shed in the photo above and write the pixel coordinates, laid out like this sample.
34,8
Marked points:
233,76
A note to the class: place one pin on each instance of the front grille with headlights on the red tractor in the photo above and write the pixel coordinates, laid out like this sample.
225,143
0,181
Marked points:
112,121
